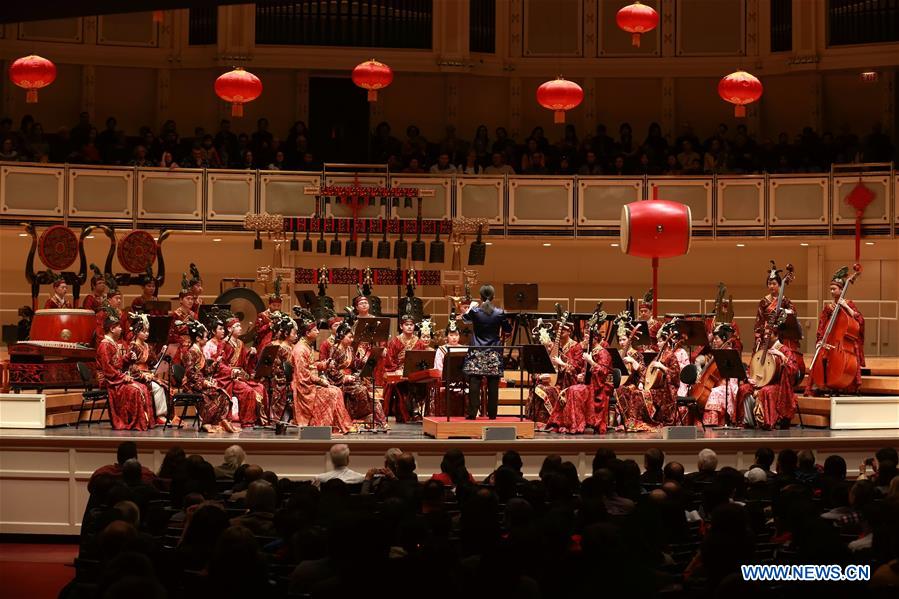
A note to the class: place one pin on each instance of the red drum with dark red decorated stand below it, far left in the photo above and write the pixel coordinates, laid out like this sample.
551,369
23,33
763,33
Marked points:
60,338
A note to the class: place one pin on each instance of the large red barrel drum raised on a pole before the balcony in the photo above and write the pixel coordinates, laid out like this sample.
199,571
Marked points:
655,229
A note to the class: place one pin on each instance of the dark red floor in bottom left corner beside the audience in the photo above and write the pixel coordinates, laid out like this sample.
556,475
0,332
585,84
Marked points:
34,571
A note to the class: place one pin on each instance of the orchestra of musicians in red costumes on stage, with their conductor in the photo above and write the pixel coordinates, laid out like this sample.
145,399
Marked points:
629,371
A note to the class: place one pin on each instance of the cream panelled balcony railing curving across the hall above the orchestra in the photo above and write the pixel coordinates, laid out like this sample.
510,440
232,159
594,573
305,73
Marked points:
762,206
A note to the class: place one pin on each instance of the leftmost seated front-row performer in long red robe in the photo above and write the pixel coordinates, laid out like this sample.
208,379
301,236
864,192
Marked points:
130,404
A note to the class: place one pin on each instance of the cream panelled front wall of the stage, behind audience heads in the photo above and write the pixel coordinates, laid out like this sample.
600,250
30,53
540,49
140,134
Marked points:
43,482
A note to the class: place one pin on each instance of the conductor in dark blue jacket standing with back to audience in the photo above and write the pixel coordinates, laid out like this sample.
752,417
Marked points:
484,359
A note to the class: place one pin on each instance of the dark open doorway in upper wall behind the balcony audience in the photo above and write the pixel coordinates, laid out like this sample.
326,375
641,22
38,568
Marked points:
338,120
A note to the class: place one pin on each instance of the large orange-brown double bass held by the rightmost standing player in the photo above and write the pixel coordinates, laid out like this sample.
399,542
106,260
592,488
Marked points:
836,361
